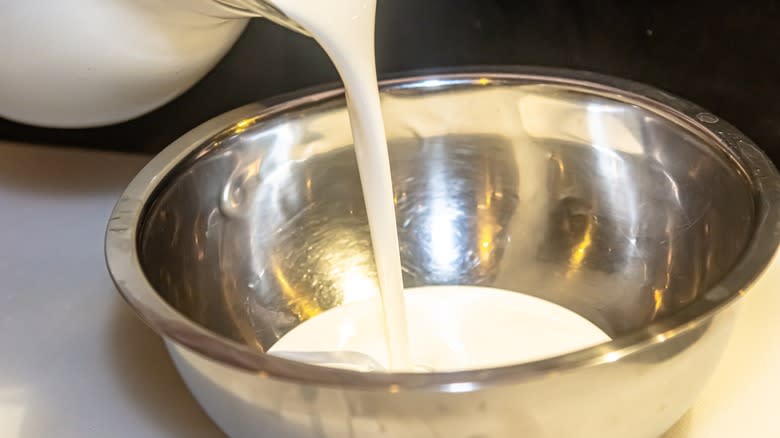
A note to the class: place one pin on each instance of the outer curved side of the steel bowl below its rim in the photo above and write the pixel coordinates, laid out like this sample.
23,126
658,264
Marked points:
642,395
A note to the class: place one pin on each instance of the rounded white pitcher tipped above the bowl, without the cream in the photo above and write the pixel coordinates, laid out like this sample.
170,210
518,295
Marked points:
87,63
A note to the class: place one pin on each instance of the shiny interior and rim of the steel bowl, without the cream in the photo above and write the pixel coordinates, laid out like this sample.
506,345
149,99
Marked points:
633,208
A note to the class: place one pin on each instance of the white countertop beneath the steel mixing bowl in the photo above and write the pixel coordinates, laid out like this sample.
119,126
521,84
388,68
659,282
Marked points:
76,362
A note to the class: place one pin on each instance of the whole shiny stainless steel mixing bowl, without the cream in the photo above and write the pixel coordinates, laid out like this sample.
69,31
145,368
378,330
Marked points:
638,210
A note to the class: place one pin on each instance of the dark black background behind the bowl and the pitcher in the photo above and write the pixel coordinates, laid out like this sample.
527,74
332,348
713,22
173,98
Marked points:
725,56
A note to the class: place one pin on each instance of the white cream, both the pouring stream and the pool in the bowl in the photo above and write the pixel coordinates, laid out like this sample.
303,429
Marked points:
432,328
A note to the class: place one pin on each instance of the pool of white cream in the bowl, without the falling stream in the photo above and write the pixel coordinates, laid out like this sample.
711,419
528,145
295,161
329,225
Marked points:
452,328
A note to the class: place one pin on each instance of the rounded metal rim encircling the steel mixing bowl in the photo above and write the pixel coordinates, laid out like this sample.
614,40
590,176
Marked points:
127,218
